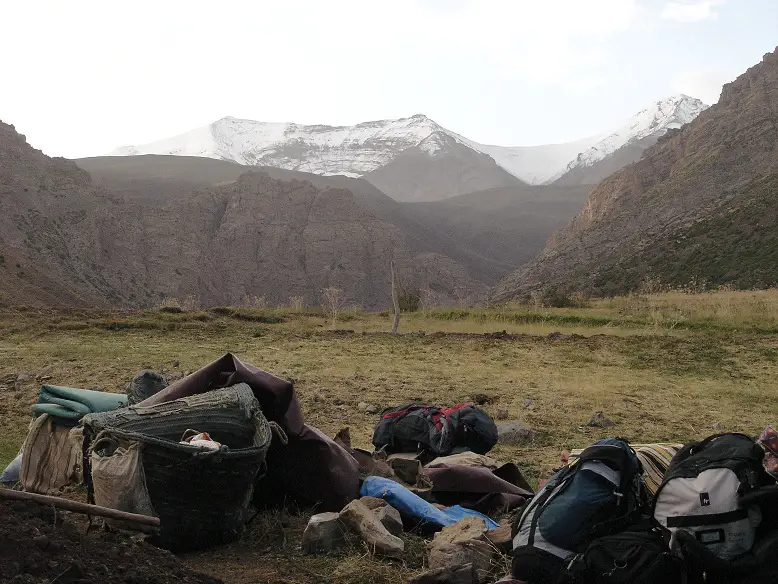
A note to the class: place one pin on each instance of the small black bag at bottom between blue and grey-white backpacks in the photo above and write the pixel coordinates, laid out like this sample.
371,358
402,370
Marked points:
638,555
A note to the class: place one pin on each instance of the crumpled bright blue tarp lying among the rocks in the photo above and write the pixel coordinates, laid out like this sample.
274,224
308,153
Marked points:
411,505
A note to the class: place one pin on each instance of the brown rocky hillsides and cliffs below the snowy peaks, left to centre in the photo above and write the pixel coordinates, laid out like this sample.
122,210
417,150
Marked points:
149,229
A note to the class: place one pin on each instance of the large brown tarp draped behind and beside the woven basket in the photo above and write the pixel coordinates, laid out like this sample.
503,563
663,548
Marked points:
311,466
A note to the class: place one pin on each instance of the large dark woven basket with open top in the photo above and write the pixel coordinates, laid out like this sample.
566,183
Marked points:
202,497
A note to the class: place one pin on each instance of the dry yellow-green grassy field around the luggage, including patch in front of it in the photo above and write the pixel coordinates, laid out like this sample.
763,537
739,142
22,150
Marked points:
667,367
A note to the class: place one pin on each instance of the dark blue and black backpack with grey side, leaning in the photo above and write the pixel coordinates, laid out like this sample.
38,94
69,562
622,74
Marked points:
597,495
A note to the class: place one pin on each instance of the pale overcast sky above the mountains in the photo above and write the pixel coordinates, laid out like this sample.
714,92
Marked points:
82,77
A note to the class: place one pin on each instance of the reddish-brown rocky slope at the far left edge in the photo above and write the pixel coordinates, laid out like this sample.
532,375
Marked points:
59,234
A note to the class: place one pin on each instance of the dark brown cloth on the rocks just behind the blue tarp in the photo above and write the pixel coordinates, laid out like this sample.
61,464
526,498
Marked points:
476,488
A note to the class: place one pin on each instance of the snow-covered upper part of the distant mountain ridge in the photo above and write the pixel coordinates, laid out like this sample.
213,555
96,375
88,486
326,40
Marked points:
360,149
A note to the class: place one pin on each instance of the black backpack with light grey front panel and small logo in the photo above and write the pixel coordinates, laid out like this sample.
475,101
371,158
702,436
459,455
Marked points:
701,495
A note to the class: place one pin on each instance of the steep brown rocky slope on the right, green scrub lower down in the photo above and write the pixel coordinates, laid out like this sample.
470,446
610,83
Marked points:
700,204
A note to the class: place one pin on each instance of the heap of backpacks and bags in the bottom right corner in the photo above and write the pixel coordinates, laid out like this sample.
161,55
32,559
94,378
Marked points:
713,518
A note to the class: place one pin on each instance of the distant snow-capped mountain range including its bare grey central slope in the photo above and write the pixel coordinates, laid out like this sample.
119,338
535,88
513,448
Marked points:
414,158
